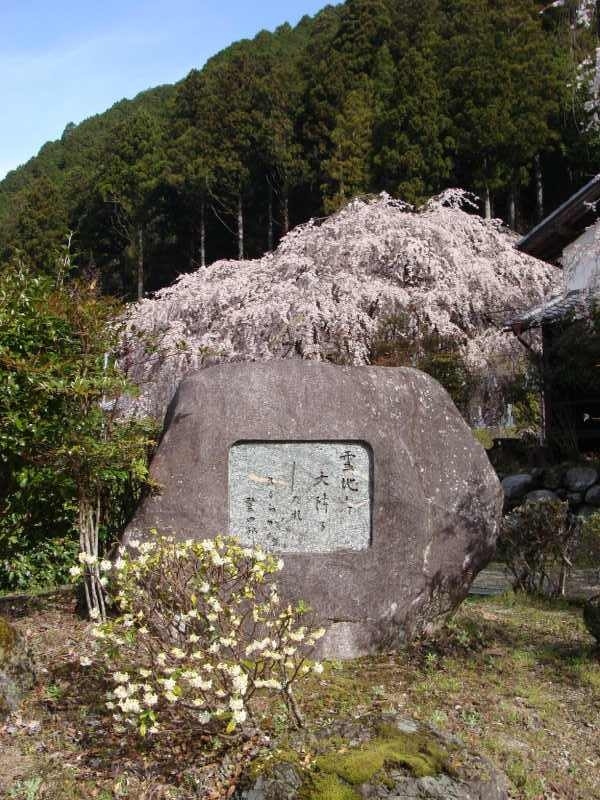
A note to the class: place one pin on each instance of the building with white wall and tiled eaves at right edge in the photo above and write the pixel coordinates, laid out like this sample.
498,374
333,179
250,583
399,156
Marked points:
570,322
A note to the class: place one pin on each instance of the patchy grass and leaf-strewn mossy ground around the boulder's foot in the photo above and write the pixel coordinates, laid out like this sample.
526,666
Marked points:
517,680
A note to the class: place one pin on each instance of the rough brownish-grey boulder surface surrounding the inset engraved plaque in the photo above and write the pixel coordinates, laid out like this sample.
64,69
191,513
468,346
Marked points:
436,501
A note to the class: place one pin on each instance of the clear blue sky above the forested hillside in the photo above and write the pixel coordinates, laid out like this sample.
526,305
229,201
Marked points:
64,60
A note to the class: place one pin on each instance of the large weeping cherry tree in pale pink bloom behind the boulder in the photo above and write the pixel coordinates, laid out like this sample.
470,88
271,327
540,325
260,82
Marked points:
324,292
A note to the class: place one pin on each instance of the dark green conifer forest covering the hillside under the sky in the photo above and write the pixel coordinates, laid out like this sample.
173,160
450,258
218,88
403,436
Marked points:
371,95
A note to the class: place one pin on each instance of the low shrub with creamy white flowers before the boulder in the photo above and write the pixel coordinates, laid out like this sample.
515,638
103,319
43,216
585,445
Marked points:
201,630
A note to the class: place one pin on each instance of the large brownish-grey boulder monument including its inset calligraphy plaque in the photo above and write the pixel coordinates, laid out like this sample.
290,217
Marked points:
366,479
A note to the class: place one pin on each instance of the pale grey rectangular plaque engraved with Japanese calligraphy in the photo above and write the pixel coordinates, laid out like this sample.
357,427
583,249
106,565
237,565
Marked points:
300,496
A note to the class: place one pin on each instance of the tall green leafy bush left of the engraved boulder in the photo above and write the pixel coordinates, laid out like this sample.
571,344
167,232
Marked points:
69,466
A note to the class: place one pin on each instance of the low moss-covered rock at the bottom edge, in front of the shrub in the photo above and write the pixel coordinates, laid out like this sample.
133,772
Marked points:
379,756
